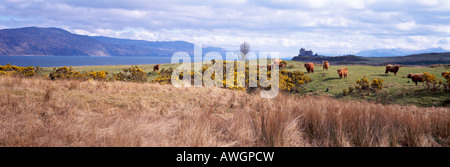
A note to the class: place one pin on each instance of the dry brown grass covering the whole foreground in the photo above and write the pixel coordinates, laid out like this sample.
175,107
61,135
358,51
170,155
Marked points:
39,112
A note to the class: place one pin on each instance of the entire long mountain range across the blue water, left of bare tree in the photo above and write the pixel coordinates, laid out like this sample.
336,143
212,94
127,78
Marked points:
34,41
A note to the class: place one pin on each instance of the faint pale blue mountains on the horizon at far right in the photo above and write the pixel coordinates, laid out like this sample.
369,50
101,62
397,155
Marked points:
398,52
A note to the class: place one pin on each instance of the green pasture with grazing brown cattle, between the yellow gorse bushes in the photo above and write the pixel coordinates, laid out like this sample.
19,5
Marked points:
396,89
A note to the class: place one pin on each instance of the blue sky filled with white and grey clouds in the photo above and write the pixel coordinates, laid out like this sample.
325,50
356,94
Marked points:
333,27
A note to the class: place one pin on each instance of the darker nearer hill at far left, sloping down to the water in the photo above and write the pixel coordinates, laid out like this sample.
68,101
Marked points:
48,41
